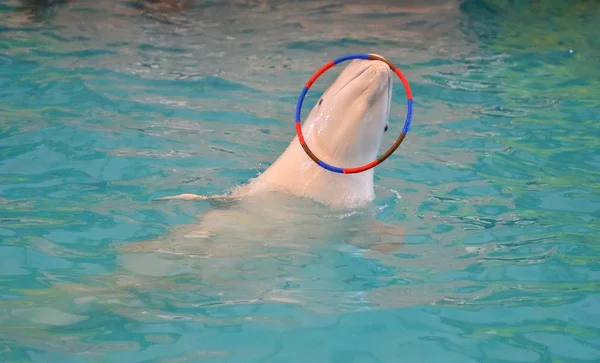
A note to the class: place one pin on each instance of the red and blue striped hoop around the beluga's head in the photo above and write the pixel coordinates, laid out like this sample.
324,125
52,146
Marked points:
390,151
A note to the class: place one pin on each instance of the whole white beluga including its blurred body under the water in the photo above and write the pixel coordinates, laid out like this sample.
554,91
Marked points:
296,223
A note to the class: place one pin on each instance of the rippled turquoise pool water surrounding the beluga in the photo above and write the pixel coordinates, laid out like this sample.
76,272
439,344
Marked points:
105,106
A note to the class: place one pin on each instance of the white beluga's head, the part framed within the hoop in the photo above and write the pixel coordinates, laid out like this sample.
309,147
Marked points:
346,126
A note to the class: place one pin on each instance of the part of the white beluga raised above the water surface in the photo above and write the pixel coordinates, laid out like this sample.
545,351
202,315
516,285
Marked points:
344,128
